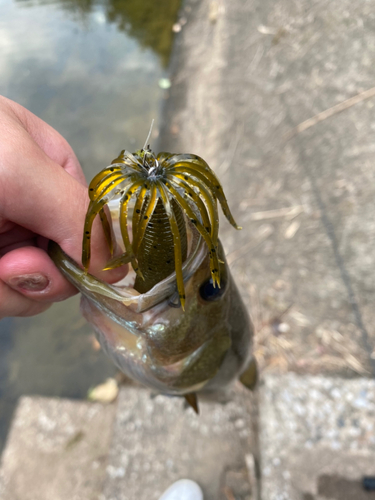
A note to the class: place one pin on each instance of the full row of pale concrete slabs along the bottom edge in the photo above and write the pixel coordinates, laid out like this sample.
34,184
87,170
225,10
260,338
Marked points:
317,442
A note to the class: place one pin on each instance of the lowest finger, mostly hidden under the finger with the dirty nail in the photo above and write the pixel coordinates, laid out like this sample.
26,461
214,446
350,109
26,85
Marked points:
13,303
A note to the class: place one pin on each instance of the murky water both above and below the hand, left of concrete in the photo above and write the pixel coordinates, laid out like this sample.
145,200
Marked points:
91,69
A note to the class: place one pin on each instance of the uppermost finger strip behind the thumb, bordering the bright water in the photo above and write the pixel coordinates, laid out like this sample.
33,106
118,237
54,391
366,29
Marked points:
48,139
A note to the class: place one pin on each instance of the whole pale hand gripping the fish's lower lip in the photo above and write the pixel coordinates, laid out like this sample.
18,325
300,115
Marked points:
43,195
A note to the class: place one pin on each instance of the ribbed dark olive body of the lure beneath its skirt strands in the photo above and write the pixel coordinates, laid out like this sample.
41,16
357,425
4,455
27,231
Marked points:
156,253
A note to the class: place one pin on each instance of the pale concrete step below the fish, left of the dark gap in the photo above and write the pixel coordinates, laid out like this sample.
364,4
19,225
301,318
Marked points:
63,450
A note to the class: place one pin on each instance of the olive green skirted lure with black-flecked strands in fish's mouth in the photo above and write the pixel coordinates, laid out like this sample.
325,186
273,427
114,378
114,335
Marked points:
163,187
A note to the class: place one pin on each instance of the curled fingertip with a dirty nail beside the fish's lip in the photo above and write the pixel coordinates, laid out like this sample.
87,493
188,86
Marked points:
30,272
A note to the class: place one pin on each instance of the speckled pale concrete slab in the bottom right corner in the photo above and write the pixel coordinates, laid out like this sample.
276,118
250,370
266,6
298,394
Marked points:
317,437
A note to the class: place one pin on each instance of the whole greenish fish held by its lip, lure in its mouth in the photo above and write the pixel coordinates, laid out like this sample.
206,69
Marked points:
177,322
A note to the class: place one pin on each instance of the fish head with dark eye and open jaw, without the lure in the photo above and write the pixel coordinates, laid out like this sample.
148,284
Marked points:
151,339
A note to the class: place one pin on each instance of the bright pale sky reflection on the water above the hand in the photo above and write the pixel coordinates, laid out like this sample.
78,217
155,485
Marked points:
91,82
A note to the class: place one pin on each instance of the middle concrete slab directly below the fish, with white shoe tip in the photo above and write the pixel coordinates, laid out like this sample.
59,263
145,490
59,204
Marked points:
156,442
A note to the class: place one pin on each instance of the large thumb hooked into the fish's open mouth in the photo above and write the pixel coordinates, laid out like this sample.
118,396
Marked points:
50,202
